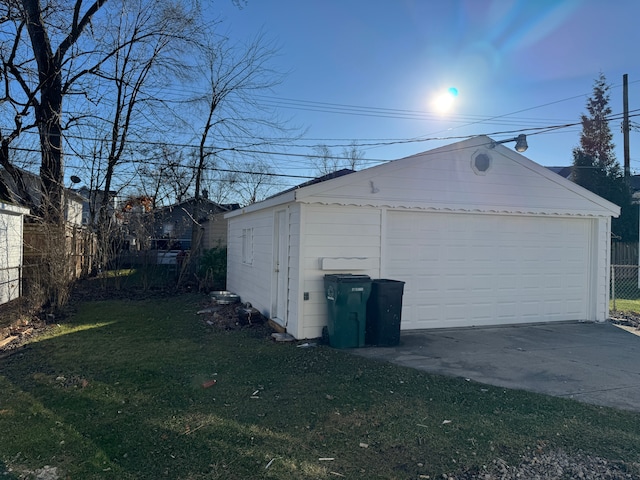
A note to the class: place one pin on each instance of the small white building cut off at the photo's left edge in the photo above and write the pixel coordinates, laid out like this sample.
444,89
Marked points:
11,235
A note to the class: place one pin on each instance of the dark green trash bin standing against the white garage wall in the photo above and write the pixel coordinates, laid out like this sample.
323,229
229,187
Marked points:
347,296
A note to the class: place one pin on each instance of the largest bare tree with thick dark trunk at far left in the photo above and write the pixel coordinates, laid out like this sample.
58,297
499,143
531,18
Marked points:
39,71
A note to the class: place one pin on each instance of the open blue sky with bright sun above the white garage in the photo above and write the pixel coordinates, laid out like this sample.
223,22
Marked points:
368,70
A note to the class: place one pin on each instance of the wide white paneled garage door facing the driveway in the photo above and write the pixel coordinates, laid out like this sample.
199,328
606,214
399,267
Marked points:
463,270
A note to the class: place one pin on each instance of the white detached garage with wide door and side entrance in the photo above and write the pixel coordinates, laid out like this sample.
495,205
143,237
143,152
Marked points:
480,234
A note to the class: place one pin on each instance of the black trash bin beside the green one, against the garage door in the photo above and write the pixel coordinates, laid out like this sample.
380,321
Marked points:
384,312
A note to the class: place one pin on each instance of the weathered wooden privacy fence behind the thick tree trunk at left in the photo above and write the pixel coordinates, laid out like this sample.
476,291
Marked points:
76,256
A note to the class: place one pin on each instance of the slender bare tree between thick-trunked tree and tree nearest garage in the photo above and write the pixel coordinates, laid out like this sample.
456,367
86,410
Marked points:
147,40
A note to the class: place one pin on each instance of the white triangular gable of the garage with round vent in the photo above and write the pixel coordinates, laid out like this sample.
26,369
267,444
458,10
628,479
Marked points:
472,175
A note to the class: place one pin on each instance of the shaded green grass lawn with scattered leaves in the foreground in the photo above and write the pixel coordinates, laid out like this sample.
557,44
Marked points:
116,392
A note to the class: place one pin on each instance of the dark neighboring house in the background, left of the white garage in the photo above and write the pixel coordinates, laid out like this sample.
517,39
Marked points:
173,225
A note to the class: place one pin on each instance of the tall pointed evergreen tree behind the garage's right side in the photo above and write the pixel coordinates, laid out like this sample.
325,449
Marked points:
595,166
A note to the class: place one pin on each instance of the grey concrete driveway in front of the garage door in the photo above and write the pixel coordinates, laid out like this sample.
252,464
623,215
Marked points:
596,363
